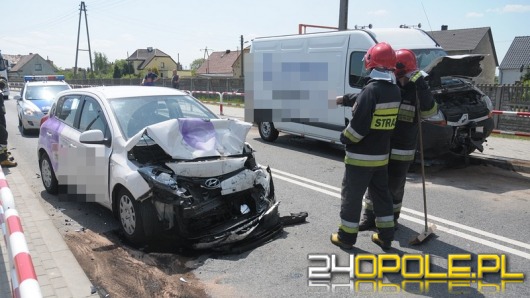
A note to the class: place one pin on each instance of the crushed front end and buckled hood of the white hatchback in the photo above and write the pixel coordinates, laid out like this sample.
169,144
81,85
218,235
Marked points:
204,181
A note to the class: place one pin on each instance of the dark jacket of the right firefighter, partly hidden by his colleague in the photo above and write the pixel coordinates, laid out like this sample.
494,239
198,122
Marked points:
405,135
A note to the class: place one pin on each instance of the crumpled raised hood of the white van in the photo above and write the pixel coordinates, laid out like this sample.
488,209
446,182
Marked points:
456,65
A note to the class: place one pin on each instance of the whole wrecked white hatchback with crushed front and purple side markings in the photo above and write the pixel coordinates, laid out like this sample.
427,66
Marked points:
161,161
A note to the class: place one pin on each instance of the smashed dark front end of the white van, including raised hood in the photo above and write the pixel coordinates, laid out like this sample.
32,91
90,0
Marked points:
465,120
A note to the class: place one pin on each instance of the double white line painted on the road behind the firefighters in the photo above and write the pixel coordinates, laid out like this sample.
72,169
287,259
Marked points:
447,222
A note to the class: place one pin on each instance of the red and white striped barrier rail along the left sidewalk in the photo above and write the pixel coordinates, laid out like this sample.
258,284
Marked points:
23,277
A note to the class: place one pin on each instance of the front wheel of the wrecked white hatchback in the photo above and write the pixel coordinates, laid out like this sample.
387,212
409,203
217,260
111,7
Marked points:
137,219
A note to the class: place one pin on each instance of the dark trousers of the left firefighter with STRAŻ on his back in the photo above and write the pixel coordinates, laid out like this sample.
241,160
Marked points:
354,184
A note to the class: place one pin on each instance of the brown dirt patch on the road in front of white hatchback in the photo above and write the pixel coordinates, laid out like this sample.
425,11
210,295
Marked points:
121,271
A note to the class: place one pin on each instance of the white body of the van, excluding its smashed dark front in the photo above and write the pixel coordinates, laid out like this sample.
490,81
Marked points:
291,82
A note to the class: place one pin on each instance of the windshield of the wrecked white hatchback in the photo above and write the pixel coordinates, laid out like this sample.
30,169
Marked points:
135,113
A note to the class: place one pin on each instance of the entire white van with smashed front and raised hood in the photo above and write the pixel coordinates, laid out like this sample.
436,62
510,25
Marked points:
291,85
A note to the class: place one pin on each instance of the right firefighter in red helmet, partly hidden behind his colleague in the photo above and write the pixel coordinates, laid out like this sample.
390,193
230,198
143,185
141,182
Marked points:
404,139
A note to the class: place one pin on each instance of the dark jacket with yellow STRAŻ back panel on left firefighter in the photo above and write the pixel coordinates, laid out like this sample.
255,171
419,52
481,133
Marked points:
367,136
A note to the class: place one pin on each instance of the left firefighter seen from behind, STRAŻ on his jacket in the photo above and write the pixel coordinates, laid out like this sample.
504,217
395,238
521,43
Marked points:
367,144
